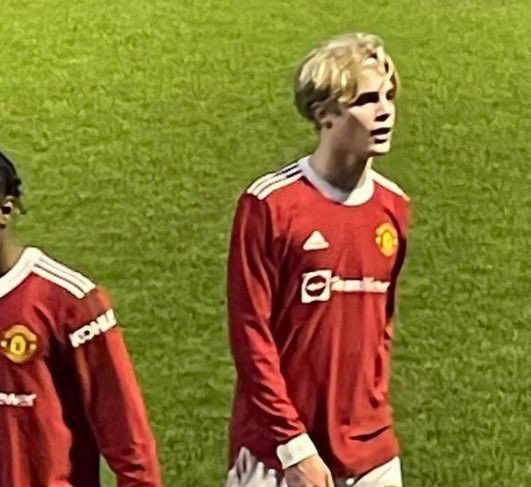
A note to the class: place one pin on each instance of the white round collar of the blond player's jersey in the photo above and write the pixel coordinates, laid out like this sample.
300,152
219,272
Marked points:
359,195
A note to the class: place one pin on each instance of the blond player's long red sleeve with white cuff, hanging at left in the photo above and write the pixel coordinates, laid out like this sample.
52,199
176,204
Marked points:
252,282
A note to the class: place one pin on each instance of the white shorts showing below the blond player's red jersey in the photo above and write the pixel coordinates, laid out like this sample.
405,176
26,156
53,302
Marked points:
249,472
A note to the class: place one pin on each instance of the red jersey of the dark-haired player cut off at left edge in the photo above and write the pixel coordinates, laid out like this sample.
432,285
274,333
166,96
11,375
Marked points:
68,391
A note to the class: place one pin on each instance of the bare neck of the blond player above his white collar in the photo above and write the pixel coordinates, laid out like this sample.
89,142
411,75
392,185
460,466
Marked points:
342,170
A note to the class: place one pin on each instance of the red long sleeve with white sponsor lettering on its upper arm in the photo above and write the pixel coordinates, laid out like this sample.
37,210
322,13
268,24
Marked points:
110,392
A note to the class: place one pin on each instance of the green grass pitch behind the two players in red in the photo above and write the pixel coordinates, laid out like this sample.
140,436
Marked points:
137,124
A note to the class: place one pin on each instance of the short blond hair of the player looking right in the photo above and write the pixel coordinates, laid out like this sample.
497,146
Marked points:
330,72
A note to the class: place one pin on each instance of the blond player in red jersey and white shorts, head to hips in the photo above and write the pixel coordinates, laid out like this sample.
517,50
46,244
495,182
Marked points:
315,255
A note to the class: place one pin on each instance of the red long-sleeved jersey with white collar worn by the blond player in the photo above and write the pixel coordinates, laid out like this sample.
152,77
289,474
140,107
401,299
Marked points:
312,279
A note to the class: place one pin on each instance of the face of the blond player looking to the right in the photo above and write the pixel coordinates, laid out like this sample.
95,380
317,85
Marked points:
364,126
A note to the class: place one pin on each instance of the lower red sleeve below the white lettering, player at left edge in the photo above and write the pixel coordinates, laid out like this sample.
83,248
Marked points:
116,411
